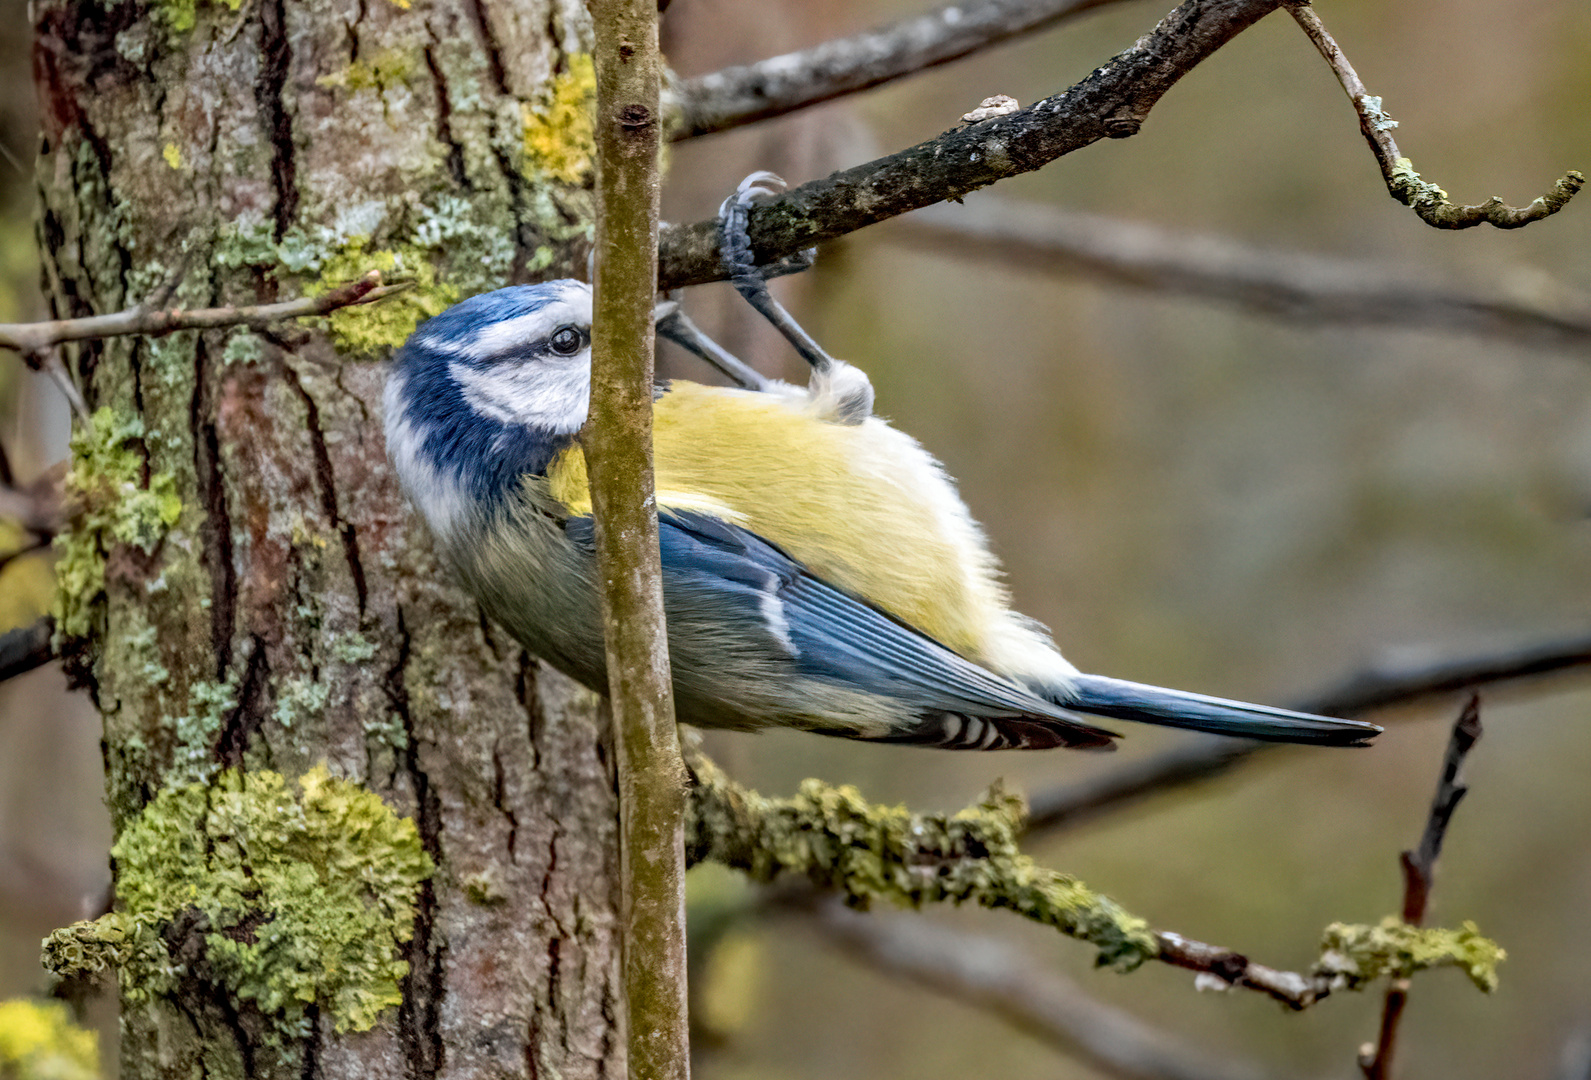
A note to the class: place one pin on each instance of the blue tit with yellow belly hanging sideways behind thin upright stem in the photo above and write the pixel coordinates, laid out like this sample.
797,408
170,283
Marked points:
820,570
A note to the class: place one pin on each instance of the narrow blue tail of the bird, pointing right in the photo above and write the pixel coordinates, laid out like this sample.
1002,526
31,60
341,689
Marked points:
1126,701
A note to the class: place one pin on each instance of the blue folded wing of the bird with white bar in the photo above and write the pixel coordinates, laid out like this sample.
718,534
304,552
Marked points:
814,631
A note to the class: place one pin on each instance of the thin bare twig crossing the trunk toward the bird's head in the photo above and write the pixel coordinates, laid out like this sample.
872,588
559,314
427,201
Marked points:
34,338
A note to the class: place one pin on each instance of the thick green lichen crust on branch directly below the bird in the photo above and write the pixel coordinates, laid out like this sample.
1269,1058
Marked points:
839,841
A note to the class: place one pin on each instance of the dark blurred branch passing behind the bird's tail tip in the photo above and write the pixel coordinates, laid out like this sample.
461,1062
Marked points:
1202,758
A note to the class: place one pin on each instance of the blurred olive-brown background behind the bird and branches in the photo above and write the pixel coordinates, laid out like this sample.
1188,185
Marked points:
1186,492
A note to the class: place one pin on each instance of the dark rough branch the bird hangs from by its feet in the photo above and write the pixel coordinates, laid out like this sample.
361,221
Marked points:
1113,103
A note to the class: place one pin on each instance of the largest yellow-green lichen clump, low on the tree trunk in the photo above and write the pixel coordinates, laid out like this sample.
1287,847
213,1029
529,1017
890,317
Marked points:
300,899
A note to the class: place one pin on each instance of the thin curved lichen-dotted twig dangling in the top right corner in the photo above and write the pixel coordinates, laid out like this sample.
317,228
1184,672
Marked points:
1406,185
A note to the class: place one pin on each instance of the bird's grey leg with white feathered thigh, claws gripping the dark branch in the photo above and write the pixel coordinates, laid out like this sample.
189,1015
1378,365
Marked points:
841,392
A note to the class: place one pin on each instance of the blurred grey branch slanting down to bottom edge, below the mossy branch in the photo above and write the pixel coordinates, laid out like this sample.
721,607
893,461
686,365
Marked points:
990,976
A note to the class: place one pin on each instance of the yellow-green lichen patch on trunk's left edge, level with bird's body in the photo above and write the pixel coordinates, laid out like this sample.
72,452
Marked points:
111,505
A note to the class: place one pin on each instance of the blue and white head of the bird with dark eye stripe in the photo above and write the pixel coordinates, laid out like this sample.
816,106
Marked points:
489,392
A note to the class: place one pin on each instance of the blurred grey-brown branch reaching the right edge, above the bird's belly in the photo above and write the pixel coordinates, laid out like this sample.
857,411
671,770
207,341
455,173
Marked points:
1291,286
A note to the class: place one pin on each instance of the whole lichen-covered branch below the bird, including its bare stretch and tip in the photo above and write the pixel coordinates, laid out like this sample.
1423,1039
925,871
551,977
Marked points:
862,852
